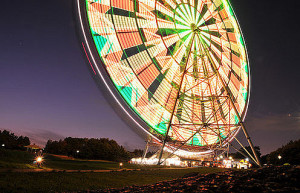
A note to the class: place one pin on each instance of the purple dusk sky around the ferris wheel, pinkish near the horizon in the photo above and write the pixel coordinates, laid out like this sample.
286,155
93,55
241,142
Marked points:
47,91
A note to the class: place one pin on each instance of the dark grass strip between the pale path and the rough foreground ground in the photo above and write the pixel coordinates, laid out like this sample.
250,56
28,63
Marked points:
61,181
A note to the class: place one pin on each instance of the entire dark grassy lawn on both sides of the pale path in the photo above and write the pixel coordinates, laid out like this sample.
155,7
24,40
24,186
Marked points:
77,181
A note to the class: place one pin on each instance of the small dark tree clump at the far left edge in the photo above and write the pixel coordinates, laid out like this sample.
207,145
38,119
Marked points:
9,140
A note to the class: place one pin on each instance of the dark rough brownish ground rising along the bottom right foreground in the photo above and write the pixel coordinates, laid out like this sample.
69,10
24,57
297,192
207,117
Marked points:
268,179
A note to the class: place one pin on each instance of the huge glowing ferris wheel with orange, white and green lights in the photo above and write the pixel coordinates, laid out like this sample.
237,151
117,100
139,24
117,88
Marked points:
177,68
